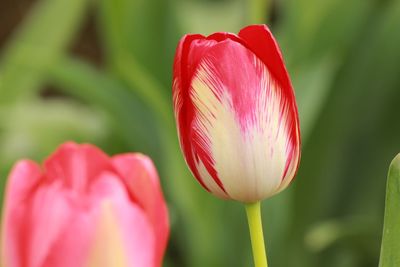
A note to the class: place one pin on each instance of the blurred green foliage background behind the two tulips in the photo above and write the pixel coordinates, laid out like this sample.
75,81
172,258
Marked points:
100,72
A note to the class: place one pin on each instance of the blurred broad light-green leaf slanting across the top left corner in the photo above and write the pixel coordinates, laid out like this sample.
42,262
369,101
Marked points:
39,42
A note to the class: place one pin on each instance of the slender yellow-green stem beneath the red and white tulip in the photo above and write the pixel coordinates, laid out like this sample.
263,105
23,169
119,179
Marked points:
253,211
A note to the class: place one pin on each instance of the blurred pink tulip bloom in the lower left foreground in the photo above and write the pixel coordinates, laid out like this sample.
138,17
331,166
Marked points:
84,208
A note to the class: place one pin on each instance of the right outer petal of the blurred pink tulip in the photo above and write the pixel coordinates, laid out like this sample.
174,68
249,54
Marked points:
142,180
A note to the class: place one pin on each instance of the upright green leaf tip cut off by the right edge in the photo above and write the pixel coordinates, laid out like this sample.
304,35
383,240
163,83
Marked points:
390,250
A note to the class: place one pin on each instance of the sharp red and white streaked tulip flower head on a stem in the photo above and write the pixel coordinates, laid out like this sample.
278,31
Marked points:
236,113
